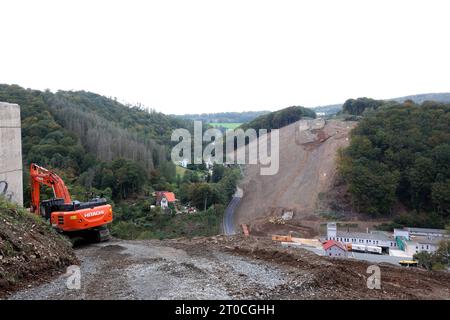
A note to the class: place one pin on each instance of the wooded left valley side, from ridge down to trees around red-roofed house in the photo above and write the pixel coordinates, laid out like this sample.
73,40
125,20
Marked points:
101,147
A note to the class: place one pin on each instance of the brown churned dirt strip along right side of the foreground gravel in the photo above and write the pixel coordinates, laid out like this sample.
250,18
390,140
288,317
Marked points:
343,278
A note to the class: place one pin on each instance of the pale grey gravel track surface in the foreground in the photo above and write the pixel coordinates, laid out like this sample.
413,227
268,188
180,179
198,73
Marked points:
148,270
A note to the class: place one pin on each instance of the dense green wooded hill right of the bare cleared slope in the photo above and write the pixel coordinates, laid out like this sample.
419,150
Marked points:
400,155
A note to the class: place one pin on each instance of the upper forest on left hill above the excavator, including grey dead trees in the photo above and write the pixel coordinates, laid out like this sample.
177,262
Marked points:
93,141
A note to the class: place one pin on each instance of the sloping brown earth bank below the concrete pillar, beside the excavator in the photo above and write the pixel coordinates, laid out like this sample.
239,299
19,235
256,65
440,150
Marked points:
30,250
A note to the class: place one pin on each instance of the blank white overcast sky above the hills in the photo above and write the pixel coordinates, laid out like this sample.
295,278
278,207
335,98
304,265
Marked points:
210,56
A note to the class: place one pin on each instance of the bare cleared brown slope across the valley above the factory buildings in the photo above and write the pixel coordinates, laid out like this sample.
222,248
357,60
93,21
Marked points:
307,169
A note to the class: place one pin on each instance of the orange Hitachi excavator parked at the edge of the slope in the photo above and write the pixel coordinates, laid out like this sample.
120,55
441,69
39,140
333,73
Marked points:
86,220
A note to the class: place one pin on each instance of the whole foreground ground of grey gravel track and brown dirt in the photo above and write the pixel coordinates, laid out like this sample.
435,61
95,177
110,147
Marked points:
229,268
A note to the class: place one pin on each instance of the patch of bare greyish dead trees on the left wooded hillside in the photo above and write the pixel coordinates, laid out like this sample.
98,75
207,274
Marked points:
110,131
